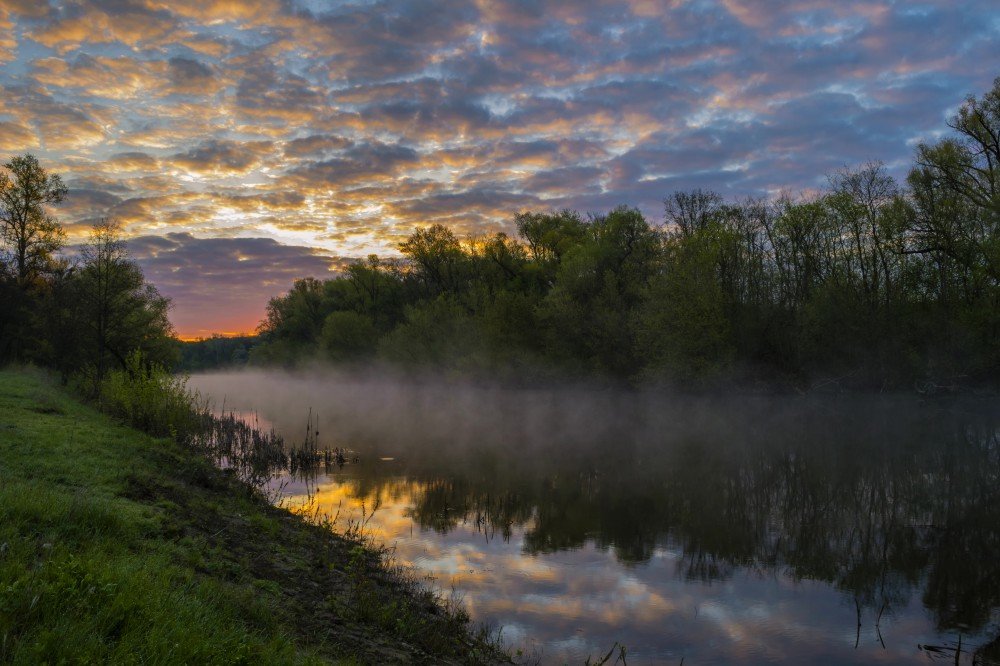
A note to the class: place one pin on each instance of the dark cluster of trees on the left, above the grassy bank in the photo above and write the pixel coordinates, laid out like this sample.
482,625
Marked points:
81,313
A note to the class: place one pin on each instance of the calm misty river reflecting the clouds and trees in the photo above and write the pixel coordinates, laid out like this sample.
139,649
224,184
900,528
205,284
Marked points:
834,530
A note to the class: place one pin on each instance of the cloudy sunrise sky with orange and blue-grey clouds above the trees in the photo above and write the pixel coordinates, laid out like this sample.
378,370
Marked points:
243,144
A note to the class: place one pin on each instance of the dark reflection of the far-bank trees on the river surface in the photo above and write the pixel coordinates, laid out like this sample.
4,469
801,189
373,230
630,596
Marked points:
882,500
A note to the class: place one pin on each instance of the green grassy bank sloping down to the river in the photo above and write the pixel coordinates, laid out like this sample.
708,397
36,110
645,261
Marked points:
118,547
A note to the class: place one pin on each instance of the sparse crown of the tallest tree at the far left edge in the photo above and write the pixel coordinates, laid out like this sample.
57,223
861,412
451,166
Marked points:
29,232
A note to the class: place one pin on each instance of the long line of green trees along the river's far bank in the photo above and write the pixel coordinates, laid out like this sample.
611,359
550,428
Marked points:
871,283
